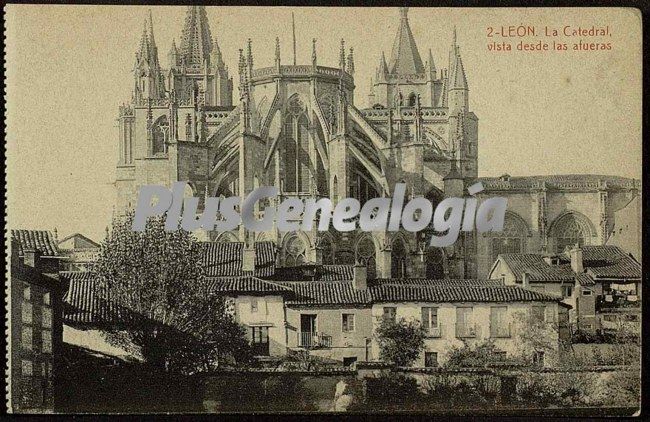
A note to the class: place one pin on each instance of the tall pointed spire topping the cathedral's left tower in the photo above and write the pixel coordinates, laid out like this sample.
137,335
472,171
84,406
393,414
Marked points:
196,41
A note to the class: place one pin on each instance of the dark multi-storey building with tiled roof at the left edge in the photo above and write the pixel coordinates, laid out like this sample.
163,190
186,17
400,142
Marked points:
35,330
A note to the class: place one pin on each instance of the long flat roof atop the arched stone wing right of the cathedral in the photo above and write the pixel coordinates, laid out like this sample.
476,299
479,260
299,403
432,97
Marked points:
561,181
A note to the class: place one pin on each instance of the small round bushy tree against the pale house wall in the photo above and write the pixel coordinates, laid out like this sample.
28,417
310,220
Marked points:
400,341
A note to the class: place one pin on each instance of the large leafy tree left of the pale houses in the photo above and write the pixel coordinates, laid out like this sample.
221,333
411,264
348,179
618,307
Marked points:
155,285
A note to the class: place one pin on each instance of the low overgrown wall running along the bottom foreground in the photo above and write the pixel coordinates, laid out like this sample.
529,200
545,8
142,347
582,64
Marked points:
375,386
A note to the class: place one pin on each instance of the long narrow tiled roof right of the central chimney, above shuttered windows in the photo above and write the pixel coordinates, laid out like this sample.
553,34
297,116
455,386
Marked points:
470,293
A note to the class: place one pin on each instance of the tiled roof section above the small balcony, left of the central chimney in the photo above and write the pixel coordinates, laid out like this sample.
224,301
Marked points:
327,293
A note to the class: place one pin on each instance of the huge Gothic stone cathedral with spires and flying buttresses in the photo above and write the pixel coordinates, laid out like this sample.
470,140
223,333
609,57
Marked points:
299,127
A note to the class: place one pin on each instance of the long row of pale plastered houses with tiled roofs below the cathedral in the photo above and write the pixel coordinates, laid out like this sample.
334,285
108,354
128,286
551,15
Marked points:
333,310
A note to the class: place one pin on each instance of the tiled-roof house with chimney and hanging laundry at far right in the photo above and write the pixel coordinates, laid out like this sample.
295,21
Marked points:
601,283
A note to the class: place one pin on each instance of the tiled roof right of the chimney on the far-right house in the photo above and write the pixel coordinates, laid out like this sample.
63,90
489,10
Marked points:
609,261
